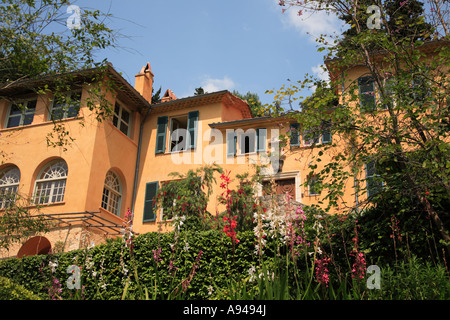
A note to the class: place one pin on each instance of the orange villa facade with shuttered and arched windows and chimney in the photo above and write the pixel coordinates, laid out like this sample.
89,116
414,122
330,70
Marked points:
117,164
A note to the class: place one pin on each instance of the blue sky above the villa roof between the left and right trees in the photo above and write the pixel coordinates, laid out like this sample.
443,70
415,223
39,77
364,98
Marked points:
243,45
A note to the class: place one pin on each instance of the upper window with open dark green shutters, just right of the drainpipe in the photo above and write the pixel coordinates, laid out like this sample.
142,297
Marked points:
182,132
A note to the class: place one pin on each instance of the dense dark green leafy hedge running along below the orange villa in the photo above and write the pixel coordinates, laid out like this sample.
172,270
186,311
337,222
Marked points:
216,266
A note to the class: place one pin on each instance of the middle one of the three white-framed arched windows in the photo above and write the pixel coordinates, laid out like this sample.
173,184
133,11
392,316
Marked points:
51,183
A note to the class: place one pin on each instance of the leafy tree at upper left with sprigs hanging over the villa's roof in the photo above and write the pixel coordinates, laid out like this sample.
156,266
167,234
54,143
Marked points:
53,39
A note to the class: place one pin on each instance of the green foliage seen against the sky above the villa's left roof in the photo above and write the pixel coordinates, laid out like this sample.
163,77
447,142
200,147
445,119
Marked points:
35,44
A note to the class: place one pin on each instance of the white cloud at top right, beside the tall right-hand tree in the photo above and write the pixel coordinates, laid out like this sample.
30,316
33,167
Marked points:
313,23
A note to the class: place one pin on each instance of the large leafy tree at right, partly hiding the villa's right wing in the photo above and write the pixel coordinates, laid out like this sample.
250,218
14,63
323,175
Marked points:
400,126
